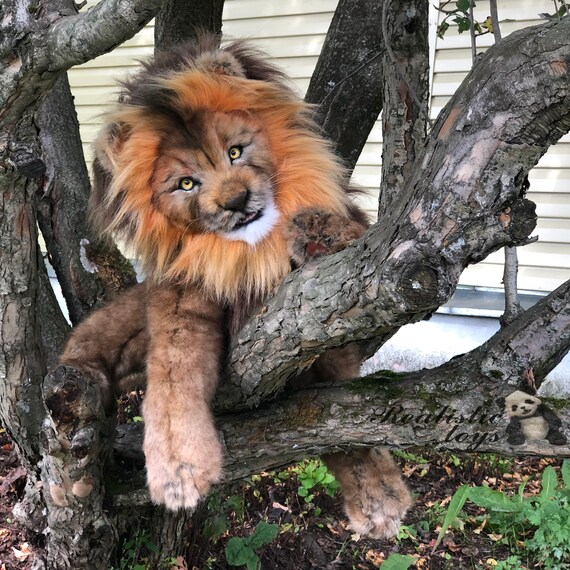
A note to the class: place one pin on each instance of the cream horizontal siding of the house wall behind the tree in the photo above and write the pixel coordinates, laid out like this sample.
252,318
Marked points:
292,33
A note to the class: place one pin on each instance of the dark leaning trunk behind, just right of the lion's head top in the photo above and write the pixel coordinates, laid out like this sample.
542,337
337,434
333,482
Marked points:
347,82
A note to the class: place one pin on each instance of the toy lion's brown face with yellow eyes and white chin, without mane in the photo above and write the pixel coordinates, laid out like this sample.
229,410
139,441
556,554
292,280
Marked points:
216,175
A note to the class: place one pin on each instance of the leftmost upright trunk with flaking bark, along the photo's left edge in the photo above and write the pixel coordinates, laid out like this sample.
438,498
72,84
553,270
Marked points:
21,366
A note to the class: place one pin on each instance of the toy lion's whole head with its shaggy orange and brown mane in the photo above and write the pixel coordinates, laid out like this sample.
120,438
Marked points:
205,157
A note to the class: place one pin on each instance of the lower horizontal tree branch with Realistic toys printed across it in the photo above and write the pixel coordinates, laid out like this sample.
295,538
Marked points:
454,407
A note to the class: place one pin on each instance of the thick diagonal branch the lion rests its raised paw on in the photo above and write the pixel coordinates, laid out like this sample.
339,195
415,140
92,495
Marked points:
460,205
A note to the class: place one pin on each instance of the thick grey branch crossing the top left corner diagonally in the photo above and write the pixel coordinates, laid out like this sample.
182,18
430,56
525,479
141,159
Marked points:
56,41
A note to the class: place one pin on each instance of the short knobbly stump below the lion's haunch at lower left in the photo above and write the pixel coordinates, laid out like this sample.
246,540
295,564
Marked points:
76,440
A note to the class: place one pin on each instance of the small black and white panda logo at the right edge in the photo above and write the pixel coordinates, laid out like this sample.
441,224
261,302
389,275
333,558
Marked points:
530,419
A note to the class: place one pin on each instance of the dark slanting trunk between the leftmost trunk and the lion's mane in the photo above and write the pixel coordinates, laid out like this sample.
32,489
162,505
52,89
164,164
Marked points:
89,271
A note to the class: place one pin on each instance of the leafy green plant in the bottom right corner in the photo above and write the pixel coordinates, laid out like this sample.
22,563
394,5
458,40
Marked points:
537,526
